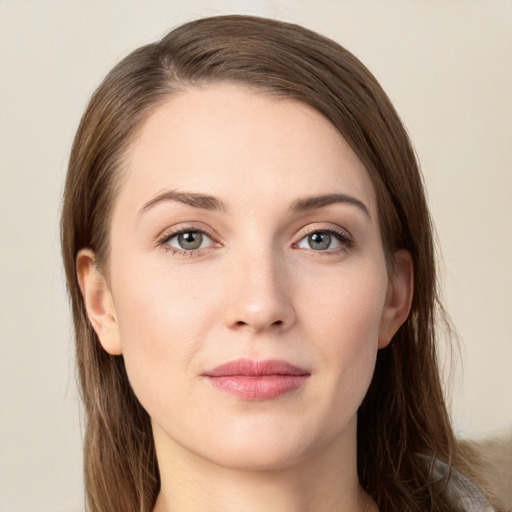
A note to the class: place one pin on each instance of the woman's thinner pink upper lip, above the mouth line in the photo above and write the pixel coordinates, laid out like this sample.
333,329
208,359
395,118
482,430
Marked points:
251,368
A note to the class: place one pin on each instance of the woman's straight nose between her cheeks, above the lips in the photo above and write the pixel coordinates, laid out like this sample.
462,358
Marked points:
259,294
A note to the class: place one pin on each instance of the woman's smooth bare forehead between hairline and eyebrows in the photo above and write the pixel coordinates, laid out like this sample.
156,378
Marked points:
243,145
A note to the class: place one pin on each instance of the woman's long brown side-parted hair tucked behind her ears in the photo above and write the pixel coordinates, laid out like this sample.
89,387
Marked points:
403,425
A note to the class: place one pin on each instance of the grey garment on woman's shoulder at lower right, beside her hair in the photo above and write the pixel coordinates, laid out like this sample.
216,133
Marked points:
460,491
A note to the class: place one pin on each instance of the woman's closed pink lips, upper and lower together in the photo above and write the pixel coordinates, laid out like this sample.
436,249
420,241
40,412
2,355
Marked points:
257,380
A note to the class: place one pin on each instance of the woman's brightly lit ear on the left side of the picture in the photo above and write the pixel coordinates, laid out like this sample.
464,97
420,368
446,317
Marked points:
98,301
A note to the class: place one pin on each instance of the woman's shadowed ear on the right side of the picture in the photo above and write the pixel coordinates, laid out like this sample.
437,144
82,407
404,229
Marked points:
398,298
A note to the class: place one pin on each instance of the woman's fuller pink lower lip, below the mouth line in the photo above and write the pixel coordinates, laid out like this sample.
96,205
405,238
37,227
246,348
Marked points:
264,387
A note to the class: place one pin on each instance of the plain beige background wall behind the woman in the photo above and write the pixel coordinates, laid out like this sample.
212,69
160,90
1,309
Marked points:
445,63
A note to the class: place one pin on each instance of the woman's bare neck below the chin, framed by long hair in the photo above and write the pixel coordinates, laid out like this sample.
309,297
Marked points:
324,482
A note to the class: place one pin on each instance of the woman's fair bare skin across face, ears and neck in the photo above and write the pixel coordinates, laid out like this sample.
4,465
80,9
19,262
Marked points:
256,289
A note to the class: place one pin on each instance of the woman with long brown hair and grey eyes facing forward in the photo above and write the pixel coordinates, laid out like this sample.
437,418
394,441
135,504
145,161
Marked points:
250,260
